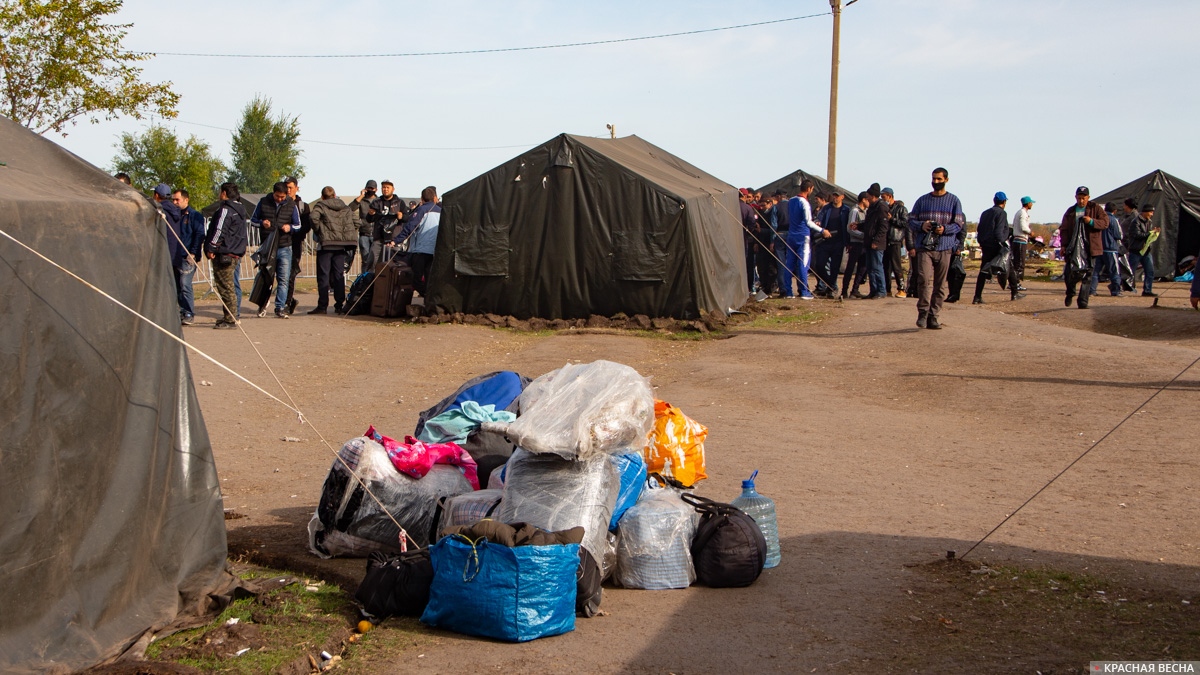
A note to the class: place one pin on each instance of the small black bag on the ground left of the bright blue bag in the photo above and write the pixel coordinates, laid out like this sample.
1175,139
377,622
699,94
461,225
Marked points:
397,584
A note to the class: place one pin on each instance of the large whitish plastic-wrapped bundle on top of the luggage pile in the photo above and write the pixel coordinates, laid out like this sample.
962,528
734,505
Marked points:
581,411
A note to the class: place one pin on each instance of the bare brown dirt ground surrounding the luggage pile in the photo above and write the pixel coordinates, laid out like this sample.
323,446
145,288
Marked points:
884,447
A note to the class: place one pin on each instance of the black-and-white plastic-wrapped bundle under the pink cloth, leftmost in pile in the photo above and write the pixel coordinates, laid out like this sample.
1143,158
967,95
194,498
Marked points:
349,523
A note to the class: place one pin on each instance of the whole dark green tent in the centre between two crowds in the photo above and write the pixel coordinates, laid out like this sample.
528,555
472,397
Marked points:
583,226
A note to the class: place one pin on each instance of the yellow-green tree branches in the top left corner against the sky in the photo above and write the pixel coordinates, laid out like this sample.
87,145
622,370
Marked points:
62,62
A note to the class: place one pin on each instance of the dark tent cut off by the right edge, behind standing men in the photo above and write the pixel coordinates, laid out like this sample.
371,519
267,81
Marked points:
1177,212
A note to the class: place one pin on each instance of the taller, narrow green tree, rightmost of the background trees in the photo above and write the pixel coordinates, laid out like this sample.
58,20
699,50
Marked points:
265,150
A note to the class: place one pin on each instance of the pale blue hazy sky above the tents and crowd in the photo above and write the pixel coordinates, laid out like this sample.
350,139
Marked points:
1024,97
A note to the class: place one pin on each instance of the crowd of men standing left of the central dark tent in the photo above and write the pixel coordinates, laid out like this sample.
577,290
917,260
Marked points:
375,226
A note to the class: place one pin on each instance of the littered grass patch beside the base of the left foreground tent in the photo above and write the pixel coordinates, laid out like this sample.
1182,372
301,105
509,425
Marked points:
279,628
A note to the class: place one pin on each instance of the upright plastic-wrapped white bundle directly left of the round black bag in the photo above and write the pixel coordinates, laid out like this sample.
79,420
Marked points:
655,543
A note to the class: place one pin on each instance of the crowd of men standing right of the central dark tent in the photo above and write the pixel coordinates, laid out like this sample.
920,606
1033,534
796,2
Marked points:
788,240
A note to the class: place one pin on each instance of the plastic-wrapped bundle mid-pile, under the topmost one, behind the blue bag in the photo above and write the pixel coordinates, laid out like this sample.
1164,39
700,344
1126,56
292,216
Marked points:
557,494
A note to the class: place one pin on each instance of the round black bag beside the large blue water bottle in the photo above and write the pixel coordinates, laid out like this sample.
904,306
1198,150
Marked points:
729,549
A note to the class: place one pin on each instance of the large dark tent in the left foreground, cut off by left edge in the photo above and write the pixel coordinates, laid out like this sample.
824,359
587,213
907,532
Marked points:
111,513
